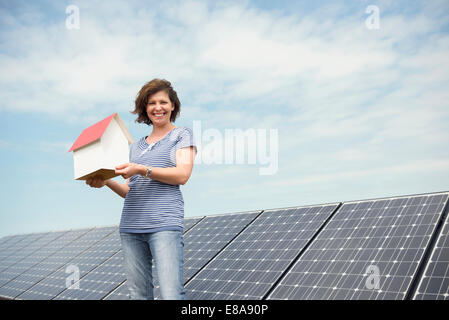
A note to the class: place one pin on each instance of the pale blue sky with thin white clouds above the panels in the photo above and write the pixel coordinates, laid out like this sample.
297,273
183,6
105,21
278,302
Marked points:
338,101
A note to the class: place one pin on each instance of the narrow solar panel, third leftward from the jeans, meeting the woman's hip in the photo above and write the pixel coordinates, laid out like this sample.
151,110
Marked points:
82,264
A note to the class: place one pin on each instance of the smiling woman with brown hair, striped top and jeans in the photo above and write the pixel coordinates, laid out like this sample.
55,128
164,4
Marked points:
152,218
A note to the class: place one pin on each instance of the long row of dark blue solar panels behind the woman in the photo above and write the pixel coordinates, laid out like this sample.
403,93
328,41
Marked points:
392,248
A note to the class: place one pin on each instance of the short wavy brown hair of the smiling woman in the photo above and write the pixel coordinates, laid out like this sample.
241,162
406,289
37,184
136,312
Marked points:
147,91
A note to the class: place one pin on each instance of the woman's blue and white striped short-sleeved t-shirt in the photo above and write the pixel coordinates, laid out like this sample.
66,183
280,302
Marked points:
150,205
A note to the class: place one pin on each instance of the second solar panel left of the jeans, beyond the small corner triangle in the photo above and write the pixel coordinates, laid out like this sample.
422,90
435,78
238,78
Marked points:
99,282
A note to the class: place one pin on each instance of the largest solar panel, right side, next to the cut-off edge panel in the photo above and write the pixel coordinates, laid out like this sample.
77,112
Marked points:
369,250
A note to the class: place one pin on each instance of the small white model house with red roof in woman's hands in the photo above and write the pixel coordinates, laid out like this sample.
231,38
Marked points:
100,148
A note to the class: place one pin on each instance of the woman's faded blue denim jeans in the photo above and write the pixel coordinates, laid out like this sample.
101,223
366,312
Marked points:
166,249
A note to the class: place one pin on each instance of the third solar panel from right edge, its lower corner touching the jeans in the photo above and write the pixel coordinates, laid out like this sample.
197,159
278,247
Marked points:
249,266
